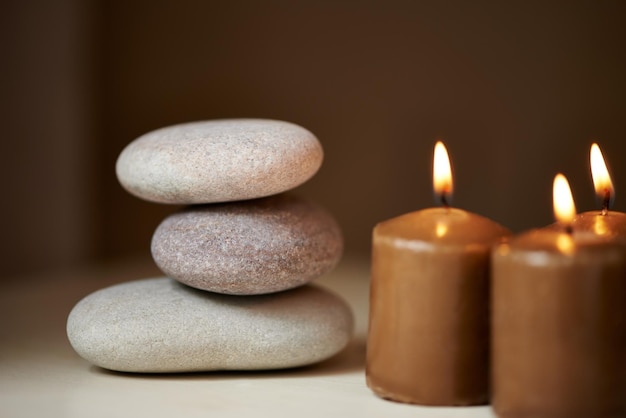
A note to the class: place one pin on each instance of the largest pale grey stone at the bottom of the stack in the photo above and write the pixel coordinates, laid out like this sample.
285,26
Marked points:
159,325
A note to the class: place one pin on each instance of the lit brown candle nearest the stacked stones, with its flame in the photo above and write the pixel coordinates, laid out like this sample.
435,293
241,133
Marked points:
428,340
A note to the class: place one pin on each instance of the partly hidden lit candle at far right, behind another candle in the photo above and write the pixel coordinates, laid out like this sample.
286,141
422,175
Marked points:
604,221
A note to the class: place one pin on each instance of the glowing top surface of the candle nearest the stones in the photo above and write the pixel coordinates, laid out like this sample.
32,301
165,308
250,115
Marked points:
442,226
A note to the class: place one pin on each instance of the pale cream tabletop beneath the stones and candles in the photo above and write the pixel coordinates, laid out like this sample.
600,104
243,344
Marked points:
41,376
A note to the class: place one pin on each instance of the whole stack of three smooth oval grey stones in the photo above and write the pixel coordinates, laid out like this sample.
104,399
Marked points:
238,259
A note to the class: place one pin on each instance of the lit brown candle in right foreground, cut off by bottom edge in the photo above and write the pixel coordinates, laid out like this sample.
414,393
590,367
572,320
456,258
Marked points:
559,321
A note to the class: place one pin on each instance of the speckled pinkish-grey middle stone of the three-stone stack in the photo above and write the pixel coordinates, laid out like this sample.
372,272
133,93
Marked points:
252,247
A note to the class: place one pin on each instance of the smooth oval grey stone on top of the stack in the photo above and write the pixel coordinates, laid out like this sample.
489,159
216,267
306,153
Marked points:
219,161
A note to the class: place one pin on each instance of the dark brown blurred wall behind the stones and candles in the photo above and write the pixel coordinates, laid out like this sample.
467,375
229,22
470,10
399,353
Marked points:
517,91
